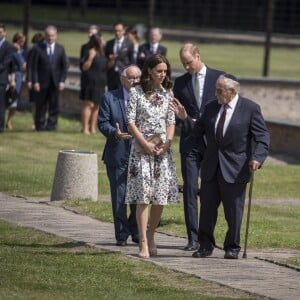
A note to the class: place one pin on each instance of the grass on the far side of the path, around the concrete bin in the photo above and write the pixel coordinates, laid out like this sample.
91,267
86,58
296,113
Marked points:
27,167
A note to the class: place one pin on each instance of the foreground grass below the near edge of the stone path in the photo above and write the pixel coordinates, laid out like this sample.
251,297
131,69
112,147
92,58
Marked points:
36,265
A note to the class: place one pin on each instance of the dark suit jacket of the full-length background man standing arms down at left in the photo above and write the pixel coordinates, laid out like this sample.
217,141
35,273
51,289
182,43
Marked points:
45,72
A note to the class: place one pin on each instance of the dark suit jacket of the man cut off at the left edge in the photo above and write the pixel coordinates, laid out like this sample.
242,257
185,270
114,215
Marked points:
6,61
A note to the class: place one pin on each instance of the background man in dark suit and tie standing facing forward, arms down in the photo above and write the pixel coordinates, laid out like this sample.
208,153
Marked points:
50,66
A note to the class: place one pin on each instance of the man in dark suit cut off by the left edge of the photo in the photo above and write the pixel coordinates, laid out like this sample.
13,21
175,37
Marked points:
6,69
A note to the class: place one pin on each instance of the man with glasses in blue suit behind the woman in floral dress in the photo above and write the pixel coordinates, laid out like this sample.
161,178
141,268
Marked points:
112,124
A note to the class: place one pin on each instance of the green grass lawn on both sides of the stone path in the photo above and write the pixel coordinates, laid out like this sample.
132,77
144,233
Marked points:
36,265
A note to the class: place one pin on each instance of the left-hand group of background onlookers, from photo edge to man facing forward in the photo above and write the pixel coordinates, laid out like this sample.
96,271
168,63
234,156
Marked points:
45,66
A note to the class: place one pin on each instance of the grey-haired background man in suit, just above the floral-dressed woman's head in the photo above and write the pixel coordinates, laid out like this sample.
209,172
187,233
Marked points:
151,47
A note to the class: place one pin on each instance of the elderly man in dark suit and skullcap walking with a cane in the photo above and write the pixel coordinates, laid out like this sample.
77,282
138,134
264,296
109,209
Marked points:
237,144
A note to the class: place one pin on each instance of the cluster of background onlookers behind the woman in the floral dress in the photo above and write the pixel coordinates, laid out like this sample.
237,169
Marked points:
101,69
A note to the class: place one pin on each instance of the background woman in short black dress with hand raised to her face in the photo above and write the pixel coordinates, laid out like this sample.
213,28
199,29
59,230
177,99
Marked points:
94,67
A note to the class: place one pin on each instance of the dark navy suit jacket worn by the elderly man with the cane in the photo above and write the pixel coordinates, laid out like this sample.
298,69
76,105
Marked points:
245,139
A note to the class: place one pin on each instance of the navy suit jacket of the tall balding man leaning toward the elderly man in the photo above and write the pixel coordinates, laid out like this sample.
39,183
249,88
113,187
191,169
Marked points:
184,92
